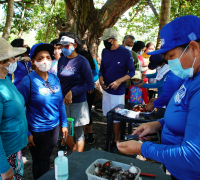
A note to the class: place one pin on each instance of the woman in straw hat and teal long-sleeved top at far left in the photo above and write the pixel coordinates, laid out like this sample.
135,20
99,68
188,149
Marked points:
13,123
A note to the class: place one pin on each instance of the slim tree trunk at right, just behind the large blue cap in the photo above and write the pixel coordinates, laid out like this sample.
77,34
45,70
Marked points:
164,18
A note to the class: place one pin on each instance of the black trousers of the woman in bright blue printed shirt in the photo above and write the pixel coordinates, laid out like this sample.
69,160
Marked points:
42,151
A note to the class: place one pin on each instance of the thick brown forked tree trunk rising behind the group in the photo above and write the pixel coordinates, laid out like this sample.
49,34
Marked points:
89,23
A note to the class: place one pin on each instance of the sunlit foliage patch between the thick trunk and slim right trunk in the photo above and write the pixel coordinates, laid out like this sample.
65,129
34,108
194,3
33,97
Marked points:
141,22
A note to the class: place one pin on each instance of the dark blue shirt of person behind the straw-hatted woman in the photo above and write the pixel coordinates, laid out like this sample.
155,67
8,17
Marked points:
23,69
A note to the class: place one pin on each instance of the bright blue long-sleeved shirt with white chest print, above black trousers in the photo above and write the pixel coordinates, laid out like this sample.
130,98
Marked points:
45,106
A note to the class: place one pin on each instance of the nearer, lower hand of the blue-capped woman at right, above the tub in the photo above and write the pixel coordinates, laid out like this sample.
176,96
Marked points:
129,147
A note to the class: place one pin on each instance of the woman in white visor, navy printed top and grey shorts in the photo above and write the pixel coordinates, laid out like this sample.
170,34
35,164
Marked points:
76,79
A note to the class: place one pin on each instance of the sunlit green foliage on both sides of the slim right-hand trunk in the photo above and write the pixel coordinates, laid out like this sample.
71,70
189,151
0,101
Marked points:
141,22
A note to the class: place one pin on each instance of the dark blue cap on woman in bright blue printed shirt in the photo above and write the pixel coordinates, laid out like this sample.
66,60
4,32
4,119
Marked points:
41,47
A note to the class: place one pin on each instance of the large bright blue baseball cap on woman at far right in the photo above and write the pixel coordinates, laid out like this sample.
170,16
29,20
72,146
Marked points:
180,31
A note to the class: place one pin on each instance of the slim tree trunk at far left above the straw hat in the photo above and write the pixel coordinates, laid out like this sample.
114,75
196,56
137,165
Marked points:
6,31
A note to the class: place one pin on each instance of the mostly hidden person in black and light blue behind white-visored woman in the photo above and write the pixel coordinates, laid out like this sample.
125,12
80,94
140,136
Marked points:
90,94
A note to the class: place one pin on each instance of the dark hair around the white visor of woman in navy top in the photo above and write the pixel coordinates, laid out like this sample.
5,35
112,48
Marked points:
79,47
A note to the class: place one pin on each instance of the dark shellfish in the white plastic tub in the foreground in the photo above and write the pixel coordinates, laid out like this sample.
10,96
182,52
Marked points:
107,171
